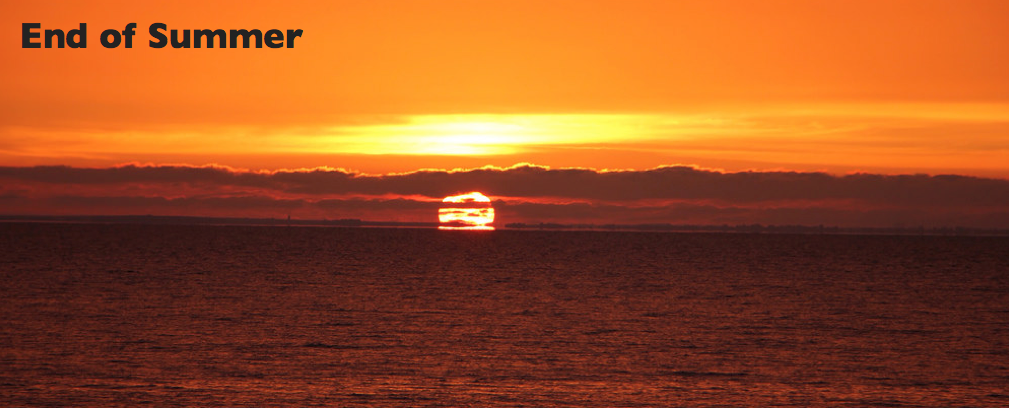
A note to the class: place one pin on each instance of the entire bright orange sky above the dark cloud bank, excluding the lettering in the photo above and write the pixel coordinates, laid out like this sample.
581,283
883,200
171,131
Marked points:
395,86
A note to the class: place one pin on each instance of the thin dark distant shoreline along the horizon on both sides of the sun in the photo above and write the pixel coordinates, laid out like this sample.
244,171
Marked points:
654,228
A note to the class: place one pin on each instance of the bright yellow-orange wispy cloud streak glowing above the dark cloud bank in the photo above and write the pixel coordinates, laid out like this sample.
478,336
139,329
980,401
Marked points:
928,138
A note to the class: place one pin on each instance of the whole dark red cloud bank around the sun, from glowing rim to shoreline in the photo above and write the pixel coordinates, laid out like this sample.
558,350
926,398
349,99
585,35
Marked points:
522,193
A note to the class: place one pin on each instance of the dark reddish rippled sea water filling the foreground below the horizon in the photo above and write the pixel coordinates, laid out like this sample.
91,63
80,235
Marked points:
252,317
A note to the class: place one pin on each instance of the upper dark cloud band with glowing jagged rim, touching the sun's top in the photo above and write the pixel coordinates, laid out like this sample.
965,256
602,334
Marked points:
537,182
